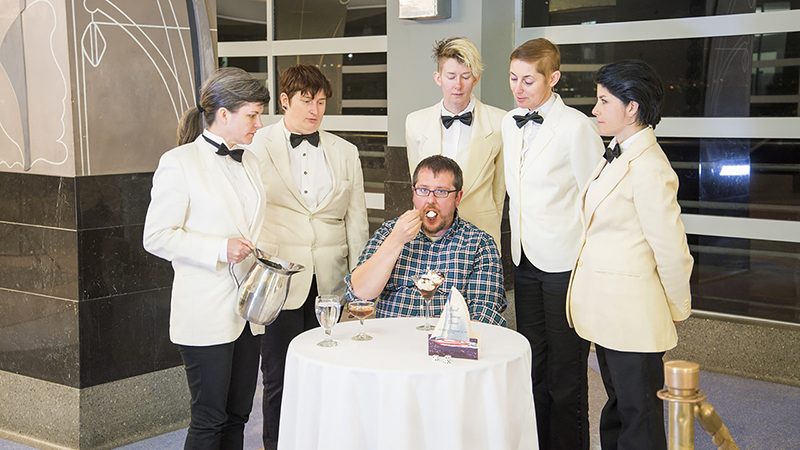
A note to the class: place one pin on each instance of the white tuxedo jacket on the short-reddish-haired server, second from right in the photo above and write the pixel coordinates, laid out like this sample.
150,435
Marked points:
544,210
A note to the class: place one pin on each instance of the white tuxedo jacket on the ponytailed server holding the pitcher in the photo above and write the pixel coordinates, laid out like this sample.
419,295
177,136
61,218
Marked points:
193,210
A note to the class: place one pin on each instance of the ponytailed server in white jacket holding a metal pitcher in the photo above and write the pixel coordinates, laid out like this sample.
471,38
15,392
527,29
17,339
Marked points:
206,211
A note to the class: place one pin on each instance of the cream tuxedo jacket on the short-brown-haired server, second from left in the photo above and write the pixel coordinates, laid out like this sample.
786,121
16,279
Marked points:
327,240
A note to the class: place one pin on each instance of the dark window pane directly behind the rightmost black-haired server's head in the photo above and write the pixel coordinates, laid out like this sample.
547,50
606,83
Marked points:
731,76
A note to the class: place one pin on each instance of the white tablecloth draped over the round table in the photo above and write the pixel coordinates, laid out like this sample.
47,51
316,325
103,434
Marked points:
388,394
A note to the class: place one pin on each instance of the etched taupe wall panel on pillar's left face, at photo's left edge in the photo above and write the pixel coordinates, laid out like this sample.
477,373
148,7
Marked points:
35,114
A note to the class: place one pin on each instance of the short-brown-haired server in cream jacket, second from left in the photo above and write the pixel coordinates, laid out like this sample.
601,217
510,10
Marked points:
316,215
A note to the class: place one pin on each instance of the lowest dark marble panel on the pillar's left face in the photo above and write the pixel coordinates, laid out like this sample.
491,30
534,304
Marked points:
39,337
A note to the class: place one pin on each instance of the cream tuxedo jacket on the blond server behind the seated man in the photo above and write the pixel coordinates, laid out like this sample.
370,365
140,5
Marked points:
484,187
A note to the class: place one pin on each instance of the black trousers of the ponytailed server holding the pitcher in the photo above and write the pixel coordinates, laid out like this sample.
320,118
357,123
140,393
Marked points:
222,382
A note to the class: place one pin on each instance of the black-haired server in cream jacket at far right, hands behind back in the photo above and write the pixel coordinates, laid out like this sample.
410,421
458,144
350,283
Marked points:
630,283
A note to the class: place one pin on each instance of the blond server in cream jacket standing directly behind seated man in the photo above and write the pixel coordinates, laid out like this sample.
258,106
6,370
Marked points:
465,130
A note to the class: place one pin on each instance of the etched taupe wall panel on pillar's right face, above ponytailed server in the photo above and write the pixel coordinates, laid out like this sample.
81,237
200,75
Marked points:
134,71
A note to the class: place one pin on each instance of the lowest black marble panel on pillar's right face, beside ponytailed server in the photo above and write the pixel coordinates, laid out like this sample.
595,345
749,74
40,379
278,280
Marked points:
124,336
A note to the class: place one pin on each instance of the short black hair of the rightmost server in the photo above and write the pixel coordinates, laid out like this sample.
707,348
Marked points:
633,80
